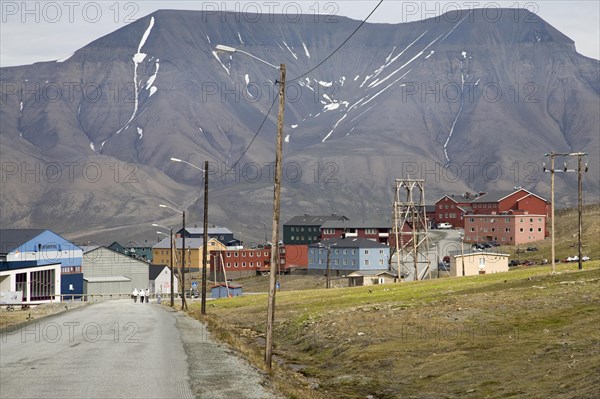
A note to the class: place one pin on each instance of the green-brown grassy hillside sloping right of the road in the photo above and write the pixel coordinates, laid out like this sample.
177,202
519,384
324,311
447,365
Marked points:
524,333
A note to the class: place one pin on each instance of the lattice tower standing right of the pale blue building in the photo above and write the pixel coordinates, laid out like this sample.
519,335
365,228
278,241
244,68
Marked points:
412,241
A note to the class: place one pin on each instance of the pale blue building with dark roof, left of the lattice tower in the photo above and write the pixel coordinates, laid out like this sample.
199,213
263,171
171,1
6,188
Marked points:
347,255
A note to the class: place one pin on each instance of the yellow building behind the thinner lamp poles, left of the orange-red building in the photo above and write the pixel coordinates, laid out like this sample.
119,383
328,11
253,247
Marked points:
161,252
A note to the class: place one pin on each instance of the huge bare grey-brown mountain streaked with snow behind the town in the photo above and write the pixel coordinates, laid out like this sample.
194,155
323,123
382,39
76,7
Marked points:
466,101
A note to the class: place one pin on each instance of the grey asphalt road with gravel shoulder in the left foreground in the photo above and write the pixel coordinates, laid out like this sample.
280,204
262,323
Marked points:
118,349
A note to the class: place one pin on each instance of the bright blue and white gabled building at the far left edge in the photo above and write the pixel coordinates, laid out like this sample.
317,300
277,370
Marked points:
45,247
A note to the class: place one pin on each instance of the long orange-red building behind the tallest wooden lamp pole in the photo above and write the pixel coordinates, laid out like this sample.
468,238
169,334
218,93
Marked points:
250,262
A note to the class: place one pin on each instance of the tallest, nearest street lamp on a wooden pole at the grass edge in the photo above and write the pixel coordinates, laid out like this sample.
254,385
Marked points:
276,202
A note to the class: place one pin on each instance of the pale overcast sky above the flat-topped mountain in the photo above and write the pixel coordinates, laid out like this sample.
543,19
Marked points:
32,31
